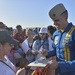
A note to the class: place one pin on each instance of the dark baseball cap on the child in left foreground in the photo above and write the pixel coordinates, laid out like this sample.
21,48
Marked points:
6,37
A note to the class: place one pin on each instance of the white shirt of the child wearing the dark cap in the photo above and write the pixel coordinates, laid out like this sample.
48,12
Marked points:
5,70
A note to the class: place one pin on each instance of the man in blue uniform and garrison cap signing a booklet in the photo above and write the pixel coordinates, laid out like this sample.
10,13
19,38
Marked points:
64,42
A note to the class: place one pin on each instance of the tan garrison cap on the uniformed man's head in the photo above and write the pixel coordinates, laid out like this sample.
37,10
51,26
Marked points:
57,10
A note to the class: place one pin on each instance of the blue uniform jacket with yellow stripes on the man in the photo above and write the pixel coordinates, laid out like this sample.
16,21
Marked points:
64,49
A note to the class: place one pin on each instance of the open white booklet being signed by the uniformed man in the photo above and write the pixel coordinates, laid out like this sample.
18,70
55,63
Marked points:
41,62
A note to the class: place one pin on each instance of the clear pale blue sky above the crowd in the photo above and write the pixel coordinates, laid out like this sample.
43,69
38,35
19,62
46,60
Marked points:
32,13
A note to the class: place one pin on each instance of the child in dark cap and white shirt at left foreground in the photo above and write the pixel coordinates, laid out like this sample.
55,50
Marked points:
6,44
